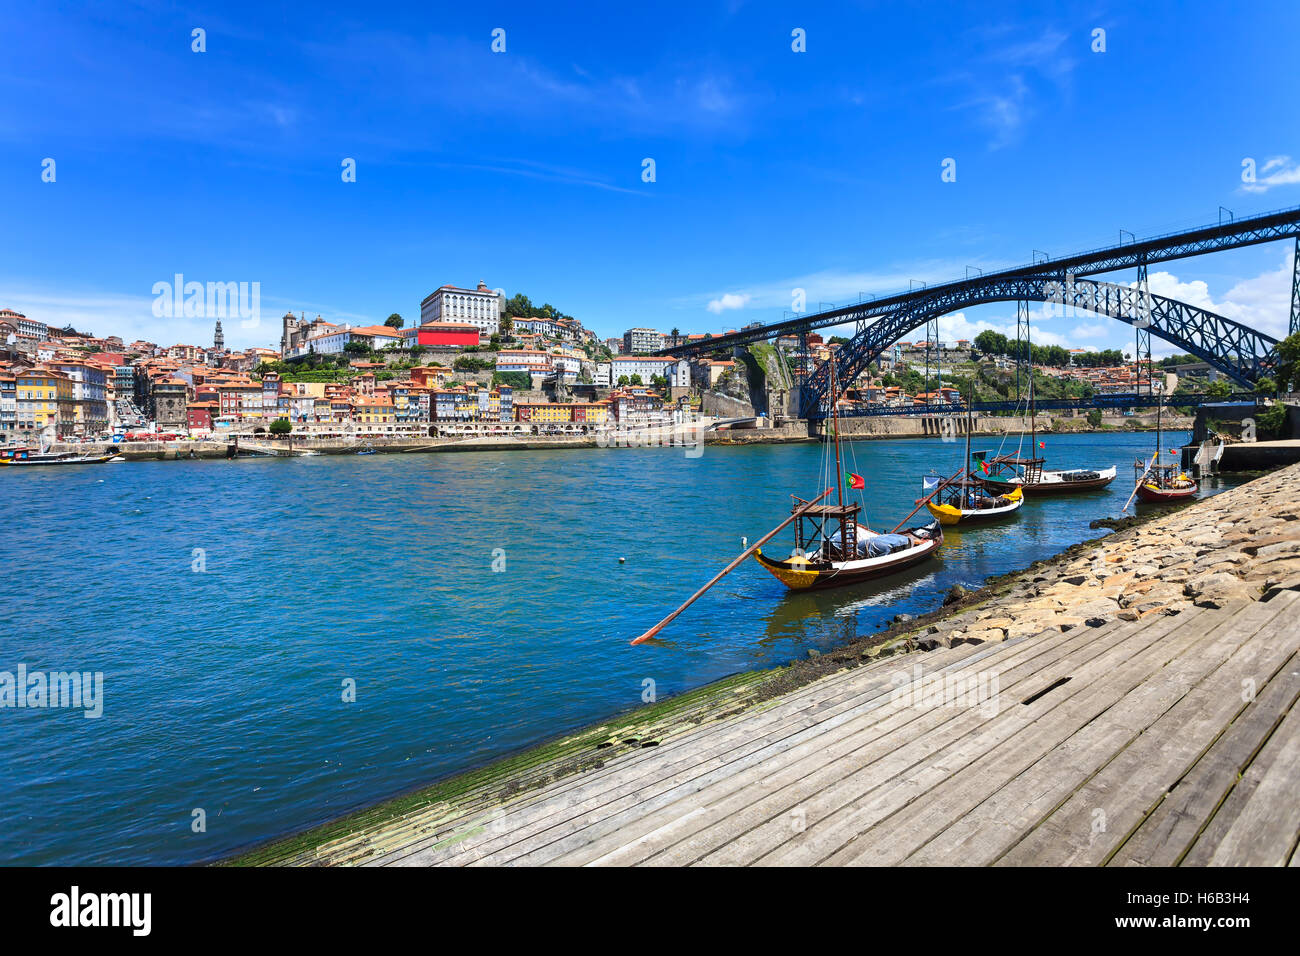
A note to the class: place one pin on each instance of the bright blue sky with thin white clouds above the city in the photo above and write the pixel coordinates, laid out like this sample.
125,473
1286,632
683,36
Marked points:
774,170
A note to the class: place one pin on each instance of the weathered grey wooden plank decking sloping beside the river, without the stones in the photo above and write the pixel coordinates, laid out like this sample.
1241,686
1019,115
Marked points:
1167,741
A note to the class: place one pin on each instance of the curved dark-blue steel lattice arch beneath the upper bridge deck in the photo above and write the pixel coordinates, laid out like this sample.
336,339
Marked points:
1230,348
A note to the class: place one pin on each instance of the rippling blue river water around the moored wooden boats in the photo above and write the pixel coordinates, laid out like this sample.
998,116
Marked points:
476,600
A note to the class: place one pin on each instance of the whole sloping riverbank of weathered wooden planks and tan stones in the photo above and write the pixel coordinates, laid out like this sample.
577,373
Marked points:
1130,703
